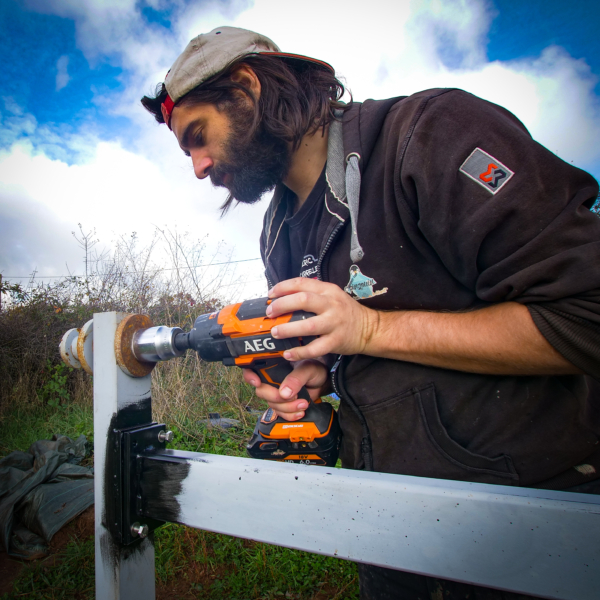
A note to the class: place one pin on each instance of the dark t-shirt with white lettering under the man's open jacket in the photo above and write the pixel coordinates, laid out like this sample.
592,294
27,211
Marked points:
302,228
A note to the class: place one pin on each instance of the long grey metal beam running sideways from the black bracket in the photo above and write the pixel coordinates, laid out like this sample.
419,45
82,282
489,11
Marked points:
536,542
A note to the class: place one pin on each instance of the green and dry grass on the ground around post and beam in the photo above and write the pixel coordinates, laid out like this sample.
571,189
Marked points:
189,563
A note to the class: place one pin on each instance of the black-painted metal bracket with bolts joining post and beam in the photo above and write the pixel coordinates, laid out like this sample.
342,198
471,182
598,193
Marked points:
137,443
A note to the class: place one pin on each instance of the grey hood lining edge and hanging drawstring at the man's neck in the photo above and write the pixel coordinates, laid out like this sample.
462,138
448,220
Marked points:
344,181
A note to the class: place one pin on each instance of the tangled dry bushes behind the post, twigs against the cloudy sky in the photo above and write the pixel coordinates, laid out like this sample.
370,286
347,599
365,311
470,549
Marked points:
34,318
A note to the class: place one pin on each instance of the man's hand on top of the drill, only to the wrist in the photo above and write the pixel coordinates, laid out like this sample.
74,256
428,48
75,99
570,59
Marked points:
344,325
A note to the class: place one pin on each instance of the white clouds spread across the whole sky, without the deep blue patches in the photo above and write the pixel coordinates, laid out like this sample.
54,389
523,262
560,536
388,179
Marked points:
382,49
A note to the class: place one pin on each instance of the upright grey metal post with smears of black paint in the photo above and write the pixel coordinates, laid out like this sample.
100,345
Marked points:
120,401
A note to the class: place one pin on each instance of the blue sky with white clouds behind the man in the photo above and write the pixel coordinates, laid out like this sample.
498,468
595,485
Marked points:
74,70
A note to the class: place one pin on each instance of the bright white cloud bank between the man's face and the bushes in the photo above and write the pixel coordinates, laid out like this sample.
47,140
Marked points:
116,192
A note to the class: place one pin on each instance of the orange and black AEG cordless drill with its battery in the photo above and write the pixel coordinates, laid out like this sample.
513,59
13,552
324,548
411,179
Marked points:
240,335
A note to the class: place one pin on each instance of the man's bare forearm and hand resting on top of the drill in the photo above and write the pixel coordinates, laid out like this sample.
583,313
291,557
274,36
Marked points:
501,339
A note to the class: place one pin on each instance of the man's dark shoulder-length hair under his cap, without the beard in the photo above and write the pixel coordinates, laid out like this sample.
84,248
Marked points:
297,96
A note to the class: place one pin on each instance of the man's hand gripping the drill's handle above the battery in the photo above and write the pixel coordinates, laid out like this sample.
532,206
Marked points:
284,401
